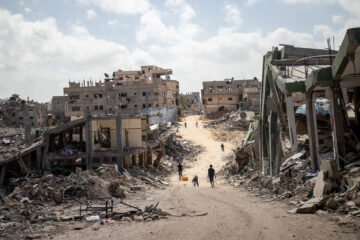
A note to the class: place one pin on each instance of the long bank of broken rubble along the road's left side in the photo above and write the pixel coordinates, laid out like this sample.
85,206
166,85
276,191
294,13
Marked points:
29,204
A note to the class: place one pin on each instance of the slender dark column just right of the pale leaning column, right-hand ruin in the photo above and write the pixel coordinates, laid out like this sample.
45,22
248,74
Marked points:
312,131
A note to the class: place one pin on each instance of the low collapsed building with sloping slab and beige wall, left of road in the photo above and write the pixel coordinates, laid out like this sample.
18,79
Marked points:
87,143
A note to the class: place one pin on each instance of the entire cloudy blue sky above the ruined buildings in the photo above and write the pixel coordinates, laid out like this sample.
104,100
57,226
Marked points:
46,43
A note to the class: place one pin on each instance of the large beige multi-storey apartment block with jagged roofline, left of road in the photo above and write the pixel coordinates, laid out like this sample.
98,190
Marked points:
127,92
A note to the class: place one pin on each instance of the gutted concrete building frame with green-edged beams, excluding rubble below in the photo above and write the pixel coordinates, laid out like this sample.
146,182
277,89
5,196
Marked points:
310,97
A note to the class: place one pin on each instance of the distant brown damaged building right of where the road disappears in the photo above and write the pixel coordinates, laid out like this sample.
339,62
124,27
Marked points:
228,94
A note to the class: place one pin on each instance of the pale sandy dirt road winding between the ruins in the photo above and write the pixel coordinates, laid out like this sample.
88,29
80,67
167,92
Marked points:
231,213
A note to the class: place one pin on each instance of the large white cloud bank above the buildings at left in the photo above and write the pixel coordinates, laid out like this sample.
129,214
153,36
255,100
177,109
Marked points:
37,55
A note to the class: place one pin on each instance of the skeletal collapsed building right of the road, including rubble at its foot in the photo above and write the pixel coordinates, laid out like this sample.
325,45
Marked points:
304,146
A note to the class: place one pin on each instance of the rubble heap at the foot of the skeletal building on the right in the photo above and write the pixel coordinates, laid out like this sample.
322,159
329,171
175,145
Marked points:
327,189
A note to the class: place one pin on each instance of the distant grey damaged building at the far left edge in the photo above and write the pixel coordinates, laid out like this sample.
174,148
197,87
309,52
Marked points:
16,112
